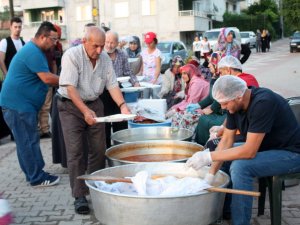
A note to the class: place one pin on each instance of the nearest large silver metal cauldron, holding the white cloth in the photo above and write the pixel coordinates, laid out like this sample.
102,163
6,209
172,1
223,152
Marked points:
120,209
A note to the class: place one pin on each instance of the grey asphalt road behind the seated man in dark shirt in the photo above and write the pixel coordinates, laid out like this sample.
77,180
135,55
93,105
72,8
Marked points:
278,69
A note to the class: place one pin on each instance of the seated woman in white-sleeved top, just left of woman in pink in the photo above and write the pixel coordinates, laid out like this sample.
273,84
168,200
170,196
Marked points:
172,87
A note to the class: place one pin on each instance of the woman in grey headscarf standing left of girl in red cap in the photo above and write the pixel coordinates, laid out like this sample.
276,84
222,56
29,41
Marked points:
134,55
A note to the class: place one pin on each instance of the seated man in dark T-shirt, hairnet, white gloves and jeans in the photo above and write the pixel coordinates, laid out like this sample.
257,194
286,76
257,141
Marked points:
272,145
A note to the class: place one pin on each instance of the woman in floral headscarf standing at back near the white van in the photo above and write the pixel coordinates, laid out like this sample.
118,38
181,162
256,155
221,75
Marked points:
227,44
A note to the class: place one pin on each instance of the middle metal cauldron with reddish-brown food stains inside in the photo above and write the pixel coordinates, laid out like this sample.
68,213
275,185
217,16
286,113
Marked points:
151,151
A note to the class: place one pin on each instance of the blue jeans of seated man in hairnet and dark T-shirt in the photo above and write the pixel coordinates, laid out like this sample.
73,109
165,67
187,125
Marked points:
243,172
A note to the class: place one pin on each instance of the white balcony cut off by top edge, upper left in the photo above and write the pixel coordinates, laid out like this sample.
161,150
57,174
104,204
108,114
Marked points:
37,4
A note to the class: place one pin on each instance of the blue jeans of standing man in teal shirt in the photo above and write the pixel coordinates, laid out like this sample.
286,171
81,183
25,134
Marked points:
24,128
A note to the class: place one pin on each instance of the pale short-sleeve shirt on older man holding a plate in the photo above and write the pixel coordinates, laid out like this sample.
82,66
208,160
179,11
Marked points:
77,70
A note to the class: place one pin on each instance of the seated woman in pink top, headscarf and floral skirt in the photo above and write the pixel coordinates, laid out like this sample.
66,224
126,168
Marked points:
196,89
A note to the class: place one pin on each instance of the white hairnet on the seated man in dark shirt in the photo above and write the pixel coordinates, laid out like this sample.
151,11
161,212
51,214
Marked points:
228,87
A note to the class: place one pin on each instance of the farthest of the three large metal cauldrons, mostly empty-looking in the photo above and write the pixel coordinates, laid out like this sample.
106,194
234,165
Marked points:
150,134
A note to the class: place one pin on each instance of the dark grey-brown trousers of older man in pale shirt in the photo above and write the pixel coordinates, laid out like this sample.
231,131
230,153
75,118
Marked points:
74,128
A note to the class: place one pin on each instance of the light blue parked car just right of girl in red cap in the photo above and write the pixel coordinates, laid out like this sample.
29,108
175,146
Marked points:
169,49
